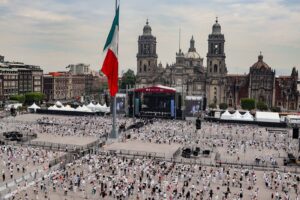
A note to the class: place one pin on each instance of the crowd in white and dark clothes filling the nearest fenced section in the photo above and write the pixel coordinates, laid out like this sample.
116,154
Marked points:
109,176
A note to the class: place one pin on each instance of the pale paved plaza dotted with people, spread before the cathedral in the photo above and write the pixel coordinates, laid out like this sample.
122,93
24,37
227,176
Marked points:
245,161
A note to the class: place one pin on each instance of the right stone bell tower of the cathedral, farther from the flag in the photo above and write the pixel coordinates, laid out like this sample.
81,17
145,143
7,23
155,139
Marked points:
216,67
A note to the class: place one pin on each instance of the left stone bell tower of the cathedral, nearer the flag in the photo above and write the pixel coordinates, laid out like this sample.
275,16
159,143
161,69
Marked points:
146,56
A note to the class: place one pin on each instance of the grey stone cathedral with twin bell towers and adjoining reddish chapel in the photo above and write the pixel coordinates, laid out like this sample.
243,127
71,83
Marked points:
191,78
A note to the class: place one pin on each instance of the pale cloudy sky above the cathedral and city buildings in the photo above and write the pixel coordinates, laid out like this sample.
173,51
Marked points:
56,33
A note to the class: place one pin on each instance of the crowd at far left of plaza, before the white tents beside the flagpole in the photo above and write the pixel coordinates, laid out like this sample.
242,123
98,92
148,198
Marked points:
94,126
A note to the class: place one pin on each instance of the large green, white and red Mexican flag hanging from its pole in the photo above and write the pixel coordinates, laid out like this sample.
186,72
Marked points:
110,64
